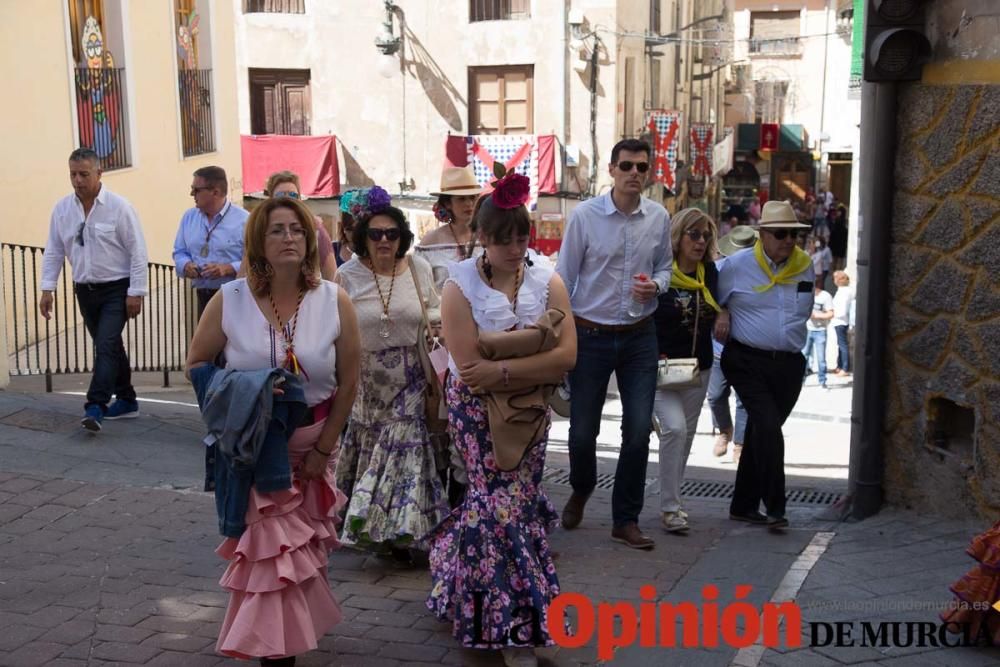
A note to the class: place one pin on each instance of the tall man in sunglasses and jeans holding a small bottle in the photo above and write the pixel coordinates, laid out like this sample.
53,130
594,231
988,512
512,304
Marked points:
616,249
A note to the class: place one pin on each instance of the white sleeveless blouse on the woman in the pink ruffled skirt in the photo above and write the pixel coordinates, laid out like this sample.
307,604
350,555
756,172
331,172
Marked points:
252,344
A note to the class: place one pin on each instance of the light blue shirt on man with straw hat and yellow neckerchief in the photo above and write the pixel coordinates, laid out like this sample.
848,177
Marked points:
771,320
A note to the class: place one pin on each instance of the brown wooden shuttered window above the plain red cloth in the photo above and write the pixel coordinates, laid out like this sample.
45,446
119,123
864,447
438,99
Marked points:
279,101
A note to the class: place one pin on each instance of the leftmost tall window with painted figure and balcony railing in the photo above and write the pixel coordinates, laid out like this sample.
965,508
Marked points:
96,33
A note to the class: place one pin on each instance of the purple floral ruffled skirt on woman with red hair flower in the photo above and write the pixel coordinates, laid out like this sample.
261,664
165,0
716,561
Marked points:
491,567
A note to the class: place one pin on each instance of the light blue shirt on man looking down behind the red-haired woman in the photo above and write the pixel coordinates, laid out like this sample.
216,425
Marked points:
224,243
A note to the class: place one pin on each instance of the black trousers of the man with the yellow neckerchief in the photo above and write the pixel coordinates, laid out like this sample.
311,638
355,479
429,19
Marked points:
769,385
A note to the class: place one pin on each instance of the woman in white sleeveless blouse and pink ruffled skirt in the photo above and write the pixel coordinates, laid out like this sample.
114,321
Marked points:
283,315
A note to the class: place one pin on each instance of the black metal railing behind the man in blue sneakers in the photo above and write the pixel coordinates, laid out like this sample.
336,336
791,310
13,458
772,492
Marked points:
157,340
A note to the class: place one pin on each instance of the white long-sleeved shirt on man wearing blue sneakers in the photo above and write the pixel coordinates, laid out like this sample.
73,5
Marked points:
113,245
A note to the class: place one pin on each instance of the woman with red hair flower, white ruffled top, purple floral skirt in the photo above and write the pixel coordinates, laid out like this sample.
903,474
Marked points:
491,567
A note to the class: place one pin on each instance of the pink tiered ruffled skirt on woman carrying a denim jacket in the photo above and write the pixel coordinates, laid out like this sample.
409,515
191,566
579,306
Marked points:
280,602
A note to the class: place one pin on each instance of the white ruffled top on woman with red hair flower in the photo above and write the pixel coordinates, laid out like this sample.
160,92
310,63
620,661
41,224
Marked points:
491,309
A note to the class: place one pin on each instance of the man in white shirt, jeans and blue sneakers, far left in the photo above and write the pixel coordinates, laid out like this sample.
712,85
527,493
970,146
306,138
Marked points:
99,232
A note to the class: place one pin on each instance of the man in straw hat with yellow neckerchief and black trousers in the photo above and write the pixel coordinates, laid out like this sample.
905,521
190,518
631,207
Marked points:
768,292
